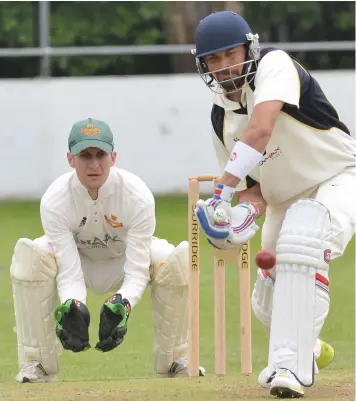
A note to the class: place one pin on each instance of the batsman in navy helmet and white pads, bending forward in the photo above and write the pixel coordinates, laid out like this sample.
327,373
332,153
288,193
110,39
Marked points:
286,153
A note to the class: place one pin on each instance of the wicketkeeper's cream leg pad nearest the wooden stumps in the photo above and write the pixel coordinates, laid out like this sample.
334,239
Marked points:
170,306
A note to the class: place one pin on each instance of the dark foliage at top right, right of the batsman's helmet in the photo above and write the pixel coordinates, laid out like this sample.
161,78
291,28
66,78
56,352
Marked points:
305,22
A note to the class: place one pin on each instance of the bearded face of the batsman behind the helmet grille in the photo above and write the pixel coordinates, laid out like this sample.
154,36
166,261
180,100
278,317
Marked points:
227,66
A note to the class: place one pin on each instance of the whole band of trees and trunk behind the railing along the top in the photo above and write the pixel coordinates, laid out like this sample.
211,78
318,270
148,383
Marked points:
76,23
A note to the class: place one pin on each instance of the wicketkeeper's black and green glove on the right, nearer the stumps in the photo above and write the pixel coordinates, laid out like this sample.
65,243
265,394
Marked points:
113,323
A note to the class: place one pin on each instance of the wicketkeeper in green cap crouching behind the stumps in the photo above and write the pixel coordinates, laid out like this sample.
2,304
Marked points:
98,223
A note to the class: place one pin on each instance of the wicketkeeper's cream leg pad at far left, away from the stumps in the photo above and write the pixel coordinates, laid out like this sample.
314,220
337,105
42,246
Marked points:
33,273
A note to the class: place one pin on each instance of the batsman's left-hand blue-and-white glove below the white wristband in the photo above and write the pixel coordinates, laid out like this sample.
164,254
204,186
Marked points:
214,214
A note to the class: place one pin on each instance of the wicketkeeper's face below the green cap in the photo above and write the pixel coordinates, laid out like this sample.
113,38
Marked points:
92,166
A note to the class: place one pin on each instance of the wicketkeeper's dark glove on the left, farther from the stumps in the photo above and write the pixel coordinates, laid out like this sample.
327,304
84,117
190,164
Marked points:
72,325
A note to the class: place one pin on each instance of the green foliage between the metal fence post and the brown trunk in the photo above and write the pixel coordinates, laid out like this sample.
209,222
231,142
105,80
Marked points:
105,23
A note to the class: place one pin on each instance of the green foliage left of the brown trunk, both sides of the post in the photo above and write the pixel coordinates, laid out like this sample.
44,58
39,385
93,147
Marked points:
77,23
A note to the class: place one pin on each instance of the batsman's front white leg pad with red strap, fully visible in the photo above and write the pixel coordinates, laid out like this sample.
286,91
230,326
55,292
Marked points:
300,303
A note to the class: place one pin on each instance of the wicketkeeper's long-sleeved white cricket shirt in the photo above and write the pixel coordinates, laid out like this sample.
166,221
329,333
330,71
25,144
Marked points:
121,221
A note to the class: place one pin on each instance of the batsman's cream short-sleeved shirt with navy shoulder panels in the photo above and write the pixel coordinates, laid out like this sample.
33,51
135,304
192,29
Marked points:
309,143
